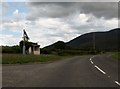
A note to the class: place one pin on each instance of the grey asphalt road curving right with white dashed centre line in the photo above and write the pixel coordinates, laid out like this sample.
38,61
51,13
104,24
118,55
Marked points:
79,71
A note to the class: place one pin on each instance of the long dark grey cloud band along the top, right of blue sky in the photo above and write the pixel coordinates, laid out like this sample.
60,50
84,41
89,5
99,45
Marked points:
61,9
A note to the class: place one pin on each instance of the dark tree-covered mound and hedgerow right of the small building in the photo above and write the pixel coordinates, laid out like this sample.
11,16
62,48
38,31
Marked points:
60,48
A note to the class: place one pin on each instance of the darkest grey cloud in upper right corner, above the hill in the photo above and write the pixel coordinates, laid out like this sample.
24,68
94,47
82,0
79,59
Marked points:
106,9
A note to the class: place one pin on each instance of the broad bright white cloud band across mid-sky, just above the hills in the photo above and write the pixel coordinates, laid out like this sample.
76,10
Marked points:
46,31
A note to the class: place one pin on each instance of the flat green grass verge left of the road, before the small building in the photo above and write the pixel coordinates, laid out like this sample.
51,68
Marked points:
21,59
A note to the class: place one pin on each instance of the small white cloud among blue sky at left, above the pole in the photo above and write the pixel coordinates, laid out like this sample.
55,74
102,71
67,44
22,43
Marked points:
15,23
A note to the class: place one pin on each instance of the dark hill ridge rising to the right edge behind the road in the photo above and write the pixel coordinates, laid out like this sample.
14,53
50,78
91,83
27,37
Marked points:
107,40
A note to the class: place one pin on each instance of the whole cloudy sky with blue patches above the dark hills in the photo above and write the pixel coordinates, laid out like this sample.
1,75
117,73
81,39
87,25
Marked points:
48,22
